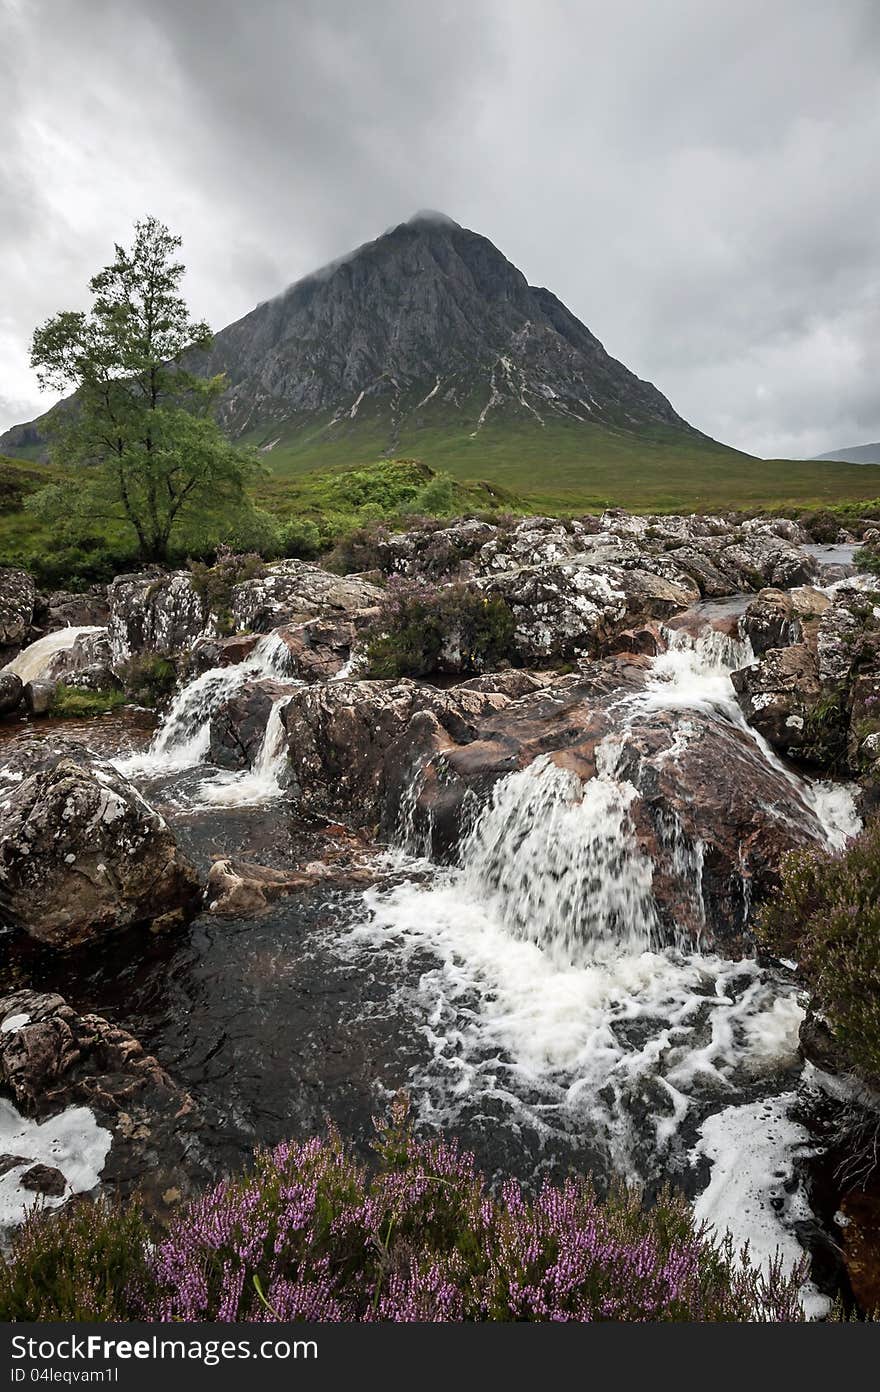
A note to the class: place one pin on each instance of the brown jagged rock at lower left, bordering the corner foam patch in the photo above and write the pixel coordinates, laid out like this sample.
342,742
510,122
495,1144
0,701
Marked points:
55,1059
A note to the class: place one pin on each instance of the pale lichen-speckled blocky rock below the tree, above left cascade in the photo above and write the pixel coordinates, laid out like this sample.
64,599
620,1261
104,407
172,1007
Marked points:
154,613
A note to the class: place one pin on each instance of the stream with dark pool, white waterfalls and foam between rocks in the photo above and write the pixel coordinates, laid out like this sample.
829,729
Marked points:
523,997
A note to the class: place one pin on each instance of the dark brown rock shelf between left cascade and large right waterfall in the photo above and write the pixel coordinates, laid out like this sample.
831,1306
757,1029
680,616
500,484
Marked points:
339,734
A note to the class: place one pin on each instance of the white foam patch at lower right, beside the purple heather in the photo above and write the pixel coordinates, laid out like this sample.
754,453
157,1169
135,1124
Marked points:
754,1192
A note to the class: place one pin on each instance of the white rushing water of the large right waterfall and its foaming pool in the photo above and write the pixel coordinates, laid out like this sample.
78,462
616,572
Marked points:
547,997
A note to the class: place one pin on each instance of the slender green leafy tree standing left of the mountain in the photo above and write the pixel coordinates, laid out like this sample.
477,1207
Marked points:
140,422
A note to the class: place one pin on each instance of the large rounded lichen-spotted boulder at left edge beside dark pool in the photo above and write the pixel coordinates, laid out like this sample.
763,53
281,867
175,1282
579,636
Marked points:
83,855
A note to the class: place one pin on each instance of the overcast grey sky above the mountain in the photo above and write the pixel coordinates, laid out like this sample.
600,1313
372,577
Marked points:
696,179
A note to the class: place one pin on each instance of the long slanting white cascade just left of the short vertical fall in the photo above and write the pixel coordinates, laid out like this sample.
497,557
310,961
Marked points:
184,737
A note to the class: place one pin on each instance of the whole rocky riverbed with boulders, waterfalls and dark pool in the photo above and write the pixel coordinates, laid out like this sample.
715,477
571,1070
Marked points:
523,894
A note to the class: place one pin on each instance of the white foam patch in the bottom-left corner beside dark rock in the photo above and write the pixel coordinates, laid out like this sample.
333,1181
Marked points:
72,1142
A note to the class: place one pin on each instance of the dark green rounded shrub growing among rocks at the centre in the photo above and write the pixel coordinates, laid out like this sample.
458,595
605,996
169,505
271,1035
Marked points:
427,630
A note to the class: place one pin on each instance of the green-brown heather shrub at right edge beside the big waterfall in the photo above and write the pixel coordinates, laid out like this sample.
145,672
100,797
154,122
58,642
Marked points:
828,917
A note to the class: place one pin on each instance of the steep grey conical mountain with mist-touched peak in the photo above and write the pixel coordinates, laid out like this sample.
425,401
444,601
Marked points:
428,342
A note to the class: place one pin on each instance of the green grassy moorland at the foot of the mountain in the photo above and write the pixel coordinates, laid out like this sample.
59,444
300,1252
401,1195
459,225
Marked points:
307,510
